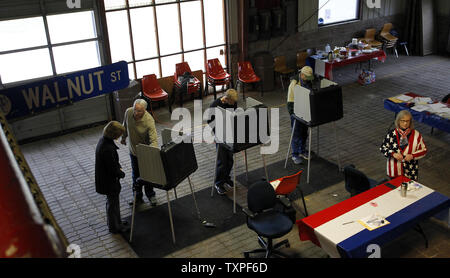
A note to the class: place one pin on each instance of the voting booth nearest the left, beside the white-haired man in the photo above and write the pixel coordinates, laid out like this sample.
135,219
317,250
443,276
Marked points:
166,168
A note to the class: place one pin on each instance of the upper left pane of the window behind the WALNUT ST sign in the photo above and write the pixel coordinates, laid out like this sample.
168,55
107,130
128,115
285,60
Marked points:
22,33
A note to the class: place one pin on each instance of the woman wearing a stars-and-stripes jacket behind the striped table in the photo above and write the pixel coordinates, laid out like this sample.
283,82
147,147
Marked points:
403,147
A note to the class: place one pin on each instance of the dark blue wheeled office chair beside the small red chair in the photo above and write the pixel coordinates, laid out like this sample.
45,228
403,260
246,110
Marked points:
265,220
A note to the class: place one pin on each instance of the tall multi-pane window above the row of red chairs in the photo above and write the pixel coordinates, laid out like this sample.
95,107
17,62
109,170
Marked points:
154,35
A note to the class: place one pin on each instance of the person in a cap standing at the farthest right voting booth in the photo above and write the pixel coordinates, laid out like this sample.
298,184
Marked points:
300,136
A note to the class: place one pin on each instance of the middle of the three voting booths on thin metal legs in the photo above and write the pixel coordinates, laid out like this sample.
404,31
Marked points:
239,130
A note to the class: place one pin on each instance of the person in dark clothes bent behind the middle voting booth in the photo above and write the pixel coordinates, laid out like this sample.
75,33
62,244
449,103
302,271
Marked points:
224,157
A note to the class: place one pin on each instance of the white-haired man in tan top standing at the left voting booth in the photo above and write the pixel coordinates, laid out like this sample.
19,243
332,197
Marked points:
139,129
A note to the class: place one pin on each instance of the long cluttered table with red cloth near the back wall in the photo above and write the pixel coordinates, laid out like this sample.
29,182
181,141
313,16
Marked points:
325,68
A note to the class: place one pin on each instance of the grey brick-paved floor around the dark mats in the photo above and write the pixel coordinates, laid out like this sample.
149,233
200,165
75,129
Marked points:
64,167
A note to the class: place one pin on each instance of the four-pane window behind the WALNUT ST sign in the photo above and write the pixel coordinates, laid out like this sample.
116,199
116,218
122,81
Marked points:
46,46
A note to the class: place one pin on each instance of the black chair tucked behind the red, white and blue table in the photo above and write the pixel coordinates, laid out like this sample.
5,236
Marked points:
356,181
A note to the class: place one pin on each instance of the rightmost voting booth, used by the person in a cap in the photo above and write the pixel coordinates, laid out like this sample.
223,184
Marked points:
321,105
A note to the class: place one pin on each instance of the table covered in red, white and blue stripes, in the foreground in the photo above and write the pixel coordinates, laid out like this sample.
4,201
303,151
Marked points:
337,231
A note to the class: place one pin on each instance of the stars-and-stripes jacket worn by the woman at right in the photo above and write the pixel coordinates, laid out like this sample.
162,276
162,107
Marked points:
416,147
